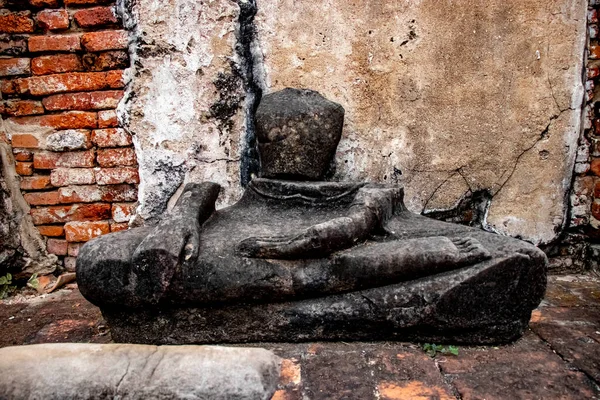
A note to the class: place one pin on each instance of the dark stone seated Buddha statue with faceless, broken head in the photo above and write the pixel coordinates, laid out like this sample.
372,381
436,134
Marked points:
298,258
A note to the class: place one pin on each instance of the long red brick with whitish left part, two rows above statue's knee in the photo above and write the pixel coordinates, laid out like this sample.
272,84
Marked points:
75,212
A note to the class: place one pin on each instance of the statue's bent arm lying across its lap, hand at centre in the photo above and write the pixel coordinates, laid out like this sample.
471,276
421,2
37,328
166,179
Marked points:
371,207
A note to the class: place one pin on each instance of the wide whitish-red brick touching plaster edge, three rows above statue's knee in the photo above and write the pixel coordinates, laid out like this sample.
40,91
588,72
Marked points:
94,193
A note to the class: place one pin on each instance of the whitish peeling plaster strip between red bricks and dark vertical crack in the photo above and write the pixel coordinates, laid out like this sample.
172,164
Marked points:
187,114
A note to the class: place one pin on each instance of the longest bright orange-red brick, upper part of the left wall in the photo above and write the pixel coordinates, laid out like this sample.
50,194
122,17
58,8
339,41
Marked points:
74,82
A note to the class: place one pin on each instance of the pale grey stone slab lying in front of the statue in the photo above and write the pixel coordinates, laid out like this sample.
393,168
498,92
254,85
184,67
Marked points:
85,371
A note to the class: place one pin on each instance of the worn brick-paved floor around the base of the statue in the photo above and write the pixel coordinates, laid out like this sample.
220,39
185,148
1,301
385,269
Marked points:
558,358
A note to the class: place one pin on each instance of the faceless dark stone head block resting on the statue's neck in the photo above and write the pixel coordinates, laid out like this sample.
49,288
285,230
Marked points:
298,132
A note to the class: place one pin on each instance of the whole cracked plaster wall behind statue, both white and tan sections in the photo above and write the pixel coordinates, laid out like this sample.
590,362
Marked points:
449,98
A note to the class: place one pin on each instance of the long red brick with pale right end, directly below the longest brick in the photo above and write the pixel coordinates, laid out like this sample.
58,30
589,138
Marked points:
83,101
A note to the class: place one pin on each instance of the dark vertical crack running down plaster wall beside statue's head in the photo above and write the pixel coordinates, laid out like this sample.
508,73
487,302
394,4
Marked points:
250,59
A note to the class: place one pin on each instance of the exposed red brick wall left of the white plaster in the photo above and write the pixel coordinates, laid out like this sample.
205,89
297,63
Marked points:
61,78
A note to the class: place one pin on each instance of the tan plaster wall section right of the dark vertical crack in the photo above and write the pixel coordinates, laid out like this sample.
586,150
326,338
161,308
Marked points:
451,97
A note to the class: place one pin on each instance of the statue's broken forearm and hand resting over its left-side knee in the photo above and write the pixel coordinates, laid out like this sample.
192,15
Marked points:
174,240
